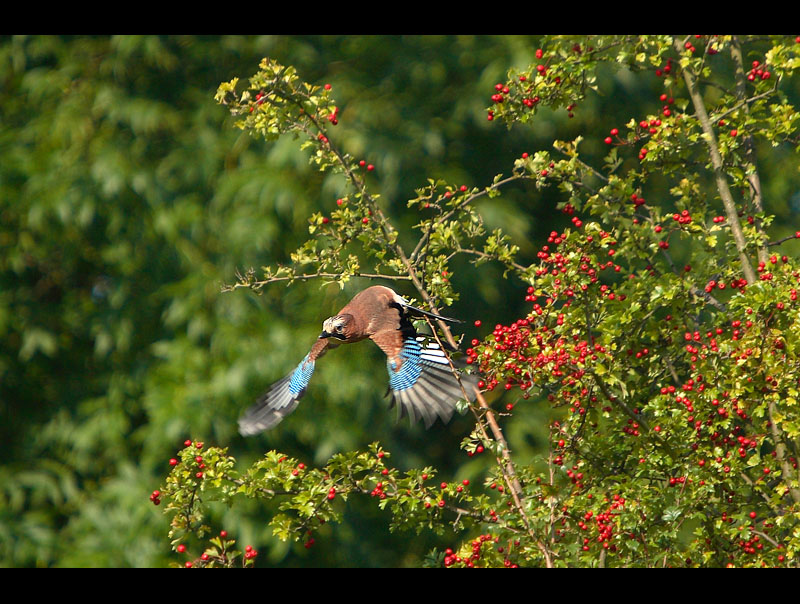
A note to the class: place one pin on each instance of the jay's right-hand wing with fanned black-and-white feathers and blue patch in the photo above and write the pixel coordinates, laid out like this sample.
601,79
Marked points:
421,379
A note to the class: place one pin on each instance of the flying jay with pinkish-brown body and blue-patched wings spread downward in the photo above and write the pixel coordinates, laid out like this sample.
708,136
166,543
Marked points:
422,379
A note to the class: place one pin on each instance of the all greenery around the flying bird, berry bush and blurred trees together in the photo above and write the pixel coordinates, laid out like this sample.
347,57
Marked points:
639,390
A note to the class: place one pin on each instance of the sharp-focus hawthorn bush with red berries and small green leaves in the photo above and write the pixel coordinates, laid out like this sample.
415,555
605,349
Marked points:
672,380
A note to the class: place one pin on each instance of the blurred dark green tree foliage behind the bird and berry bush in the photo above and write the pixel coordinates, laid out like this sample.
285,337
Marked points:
127,198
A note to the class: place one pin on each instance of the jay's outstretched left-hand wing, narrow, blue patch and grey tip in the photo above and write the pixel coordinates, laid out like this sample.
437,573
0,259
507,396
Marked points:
284,395
